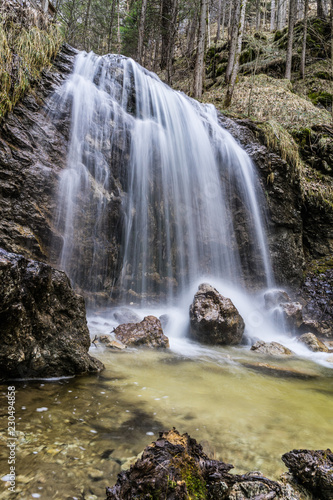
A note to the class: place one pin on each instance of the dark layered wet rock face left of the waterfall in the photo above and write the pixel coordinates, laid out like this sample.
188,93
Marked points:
32,154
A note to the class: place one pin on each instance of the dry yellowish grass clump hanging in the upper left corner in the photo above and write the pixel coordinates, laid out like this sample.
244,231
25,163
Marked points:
28,42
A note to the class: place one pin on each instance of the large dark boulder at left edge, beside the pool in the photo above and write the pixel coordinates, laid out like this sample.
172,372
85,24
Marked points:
43,324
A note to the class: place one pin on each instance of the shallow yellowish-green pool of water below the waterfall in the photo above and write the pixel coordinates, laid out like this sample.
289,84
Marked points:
75,435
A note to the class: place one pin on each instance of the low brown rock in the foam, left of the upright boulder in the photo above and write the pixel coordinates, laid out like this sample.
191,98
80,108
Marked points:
149,333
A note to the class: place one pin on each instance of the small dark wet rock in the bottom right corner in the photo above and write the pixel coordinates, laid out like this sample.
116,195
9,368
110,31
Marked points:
312,469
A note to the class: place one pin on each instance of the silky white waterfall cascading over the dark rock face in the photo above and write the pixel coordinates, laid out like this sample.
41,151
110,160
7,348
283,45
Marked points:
156,193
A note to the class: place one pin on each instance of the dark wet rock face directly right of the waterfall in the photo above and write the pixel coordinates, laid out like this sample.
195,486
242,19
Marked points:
283,198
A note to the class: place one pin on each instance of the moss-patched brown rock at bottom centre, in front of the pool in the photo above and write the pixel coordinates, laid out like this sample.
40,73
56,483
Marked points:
176,468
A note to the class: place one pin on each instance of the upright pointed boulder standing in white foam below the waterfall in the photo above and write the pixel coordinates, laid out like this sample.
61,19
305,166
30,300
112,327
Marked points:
214,319
